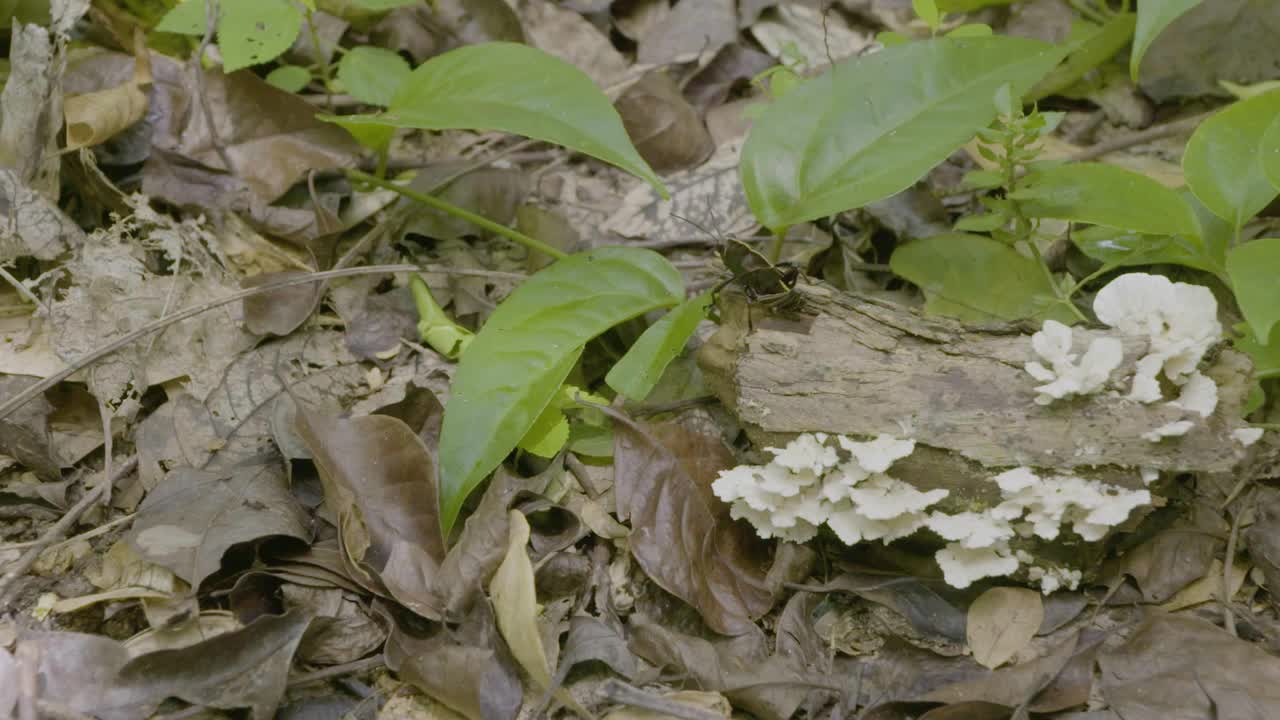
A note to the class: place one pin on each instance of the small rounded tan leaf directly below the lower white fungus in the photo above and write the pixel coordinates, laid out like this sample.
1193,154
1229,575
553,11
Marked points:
1002,623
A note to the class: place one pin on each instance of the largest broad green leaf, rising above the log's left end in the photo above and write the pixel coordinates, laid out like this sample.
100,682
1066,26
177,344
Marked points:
872,126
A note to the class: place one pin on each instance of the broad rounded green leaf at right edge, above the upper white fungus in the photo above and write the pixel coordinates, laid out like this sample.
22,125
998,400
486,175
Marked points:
1223,162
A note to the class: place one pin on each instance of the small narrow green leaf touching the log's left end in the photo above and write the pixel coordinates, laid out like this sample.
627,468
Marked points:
641,370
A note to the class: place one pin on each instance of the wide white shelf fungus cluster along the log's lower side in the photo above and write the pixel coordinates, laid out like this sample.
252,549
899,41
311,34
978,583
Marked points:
811,484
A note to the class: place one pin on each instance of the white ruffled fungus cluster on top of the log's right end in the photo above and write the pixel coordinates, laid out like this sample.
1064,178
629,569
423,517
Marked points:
1180,323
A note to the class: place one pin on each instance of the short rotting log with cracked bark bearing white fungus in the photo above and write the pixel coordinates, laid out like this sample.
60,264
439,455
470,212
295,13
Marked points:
857,366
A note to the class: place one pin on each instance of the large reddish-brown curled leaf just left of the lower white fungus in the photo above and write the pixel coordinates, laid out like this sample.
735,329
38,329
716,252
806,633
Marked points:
682,534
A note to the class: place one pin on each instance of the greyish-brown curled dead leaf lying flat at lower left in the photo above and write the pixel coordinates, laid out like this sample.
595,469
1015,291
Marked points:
193,518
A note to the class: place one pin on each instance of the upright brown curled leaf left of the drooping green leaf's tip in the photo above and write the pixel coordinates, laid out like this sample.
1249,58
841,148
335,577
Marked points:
380,482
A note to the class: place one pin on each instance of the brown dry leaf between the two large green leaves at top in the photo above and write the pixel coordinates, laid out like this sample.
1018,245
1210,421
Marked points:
666,130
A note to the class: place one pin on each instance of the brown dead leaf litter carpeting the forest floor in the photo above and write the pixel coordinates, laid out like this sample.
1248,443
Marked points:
281,528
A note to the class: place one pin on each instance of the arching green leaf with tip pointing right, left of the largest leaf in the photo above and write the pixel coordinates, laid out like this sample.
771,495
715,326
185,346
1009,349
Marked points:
513,88
